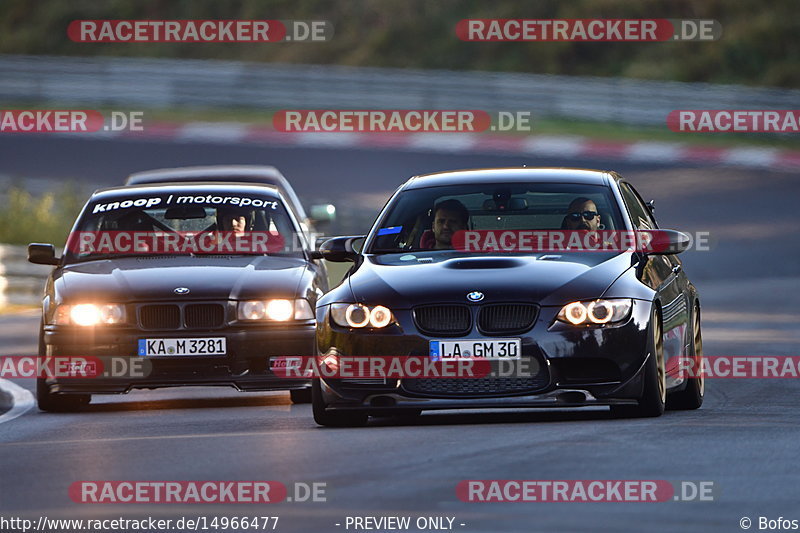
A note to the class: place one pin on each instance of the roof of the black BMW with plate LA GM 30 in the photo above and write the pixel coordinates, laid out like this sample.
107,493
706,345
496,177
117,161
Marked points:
512,175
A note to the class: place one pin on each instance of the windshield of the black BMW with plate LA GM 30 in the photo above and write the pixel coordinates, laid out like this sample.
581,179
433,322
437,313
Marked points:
427,218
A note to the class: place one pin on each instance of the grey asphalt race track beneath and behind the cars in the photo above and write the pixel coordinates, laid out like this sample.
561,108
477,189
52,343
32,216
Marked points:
744,439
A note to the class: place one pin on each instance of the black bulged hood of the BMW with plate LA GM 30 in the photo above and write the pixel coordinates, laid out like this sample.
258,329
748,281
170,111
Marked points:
403,282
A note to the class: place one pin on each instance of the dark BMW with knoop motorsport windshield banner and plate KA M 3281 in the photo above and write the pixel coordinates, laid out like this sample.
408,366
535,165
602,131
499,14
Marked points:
187,283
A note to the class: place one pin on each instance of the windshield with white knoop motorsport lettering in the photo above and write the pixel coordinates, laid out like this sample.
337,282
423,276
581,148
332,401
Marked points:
183,223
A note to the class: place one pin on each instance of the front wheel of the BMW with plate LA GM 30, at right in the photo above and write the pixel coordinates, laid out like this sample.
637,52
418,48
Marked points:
653,399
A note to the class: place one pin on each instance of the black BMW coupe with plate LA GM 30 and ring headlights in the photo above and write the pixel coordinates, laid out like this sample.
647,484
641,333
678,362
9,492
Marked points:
595,327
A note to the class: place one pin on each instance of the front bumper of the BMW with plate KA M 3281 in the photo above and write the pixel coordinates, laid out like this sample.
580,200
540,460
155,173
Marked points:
246,366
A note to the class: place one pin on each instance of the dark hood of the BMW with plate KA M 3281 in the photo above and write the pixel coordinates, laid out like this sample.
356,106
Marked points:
156,278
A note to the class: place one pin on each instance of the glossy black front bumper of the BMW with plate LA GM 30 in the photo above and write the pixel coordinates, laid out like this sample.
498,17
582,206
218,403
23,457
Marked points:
577,366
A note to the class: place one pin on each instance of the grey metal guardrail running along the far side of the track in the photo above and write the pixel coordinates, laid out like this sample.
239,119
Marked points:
169,83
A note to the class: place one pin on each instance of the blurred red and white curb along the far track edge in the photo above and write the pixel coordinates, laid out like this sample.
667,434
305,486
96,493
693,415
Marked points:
484,143
